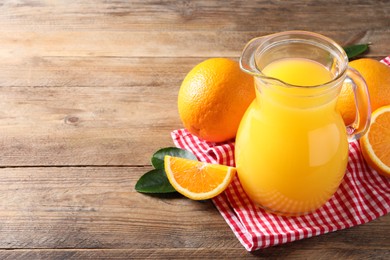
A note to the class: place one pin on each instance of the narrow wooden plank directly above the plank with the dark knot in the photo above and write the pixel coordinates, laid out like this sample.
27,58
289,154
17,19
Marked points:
45,71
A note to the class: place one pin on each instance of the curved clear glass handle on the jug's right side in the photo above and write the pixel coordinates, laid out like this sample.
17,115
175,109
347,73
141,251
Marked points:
362,104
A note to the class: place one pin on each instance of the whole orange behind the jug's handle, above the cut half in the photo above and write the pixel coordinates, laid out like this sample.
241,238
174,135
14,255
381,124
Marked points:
377,77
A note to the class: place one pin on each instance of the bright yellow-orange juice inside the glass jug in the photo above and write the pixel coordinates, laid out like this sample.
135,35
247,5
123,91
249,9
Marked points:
291,146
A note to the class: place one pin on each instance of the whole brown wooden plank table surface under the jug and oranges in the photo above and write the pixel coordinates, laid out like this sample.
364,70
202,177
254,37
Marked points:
88,92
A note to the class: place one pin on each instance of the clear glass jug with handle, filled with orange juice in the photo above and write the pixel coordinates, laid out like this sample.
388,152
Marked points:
291,147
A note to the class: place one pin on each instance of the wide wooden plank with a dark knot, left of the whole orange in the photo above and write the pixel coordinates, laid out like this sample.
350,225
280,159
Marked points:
85,126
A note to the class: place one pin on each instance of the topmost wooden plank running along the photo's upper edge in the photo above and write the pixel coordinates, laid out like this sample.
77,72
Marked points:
206,15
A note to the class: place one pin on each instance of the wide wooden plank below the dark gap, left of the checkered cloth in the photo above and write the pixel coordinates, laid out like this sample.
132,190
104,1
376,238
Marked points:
86,207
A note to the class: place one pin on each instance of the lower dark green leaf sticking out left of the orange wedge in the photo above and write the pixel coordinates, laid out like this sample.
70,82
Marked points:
154,181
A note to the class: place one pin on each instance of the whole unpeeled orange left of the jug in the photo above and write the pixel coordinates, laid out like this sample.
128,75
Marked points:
213,98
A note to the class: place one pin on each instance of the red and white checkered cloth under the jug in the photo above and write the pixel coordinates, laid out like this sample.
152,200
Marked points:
363,195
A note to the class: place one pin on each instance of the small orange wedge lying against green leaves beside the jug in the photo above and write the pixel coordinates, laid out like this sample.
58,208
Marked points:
197,180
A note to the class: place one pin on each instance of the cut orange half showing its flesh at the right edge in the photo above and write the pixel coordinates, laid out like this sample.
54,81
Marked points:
375,144
